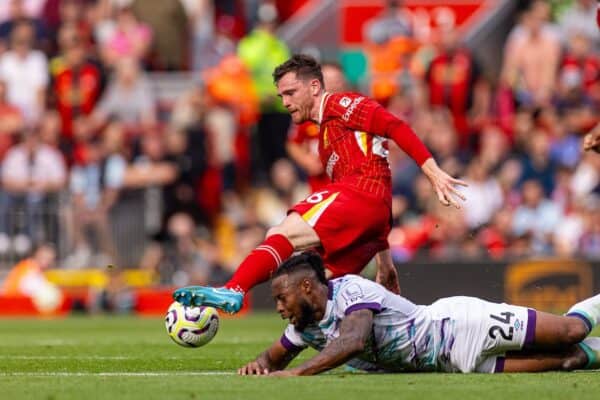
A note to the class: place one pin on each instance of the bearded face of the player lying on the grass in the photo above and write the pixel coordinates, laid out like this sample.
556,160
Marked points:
291,303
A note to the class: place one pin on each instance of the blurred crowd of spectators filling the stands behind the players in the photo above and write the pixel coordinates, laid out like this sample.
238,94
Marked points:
95,156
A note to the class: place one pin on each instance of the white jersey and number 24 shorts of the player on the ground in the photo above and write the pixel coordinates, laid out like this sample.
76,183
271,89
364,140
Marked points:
453,334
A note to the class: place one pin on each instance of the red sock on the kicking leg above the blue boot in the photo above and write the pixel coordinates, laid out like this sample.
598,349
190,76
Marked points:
261,263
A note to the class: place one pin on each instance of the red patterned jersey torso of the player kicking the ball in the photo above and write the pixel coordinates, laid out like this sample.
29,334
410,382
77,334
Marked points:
350,151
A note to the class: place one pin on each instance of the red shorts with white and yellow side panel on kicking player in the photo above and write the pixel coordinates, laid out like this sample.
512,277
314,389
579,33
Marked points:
352,225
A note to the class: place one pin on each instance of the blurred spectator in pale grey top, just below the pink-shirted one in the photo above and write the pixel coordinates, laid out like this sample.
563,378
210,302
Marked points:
128,98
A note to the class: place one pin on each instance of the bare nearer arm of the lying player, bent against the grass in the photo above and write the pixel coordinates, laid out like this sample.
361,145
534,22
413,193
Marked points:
354,332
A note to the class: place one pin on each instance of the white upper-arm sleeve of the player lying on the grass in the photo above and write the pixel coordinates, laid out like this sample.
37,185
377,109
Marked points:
359,294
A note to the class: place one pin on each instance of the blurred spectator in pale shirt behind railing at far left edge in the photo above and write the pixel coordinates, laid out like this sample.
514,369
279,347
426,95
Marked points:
33,173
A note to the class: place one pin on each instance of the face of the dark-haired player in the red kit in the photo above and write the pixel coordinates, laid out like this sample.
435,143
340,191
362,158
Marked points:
298,96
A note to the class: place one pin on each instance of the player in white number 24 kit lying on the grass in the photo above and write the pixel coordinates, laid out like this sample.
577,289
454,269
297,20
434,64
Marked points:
351,320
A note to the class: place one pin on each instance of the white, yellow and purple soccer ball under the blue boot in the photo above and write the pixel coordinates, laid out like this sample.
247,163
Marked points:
191,326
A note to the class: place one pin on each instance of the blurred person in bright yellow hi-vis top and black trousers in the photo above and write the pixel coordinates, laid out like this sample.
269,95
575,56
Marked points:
261,51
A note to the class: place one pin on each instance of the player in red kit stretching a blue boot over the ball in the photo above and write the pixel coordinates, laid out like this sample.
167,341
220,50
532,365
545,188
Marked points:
349,220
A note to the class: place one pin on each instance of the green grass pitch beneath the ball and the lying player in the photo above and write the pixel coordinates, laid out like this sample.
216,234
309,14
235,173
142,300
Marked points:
132,358
